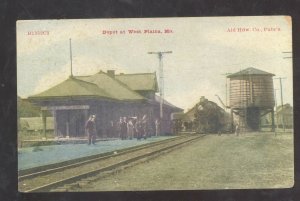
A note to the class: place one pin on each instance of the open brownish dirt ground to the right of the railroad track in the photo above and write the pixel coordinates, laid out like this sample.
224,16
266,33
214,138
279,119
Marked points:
256,160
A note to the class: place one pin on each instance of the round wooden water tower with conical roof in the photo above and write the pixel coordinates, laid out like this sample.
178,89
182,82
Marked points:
251,96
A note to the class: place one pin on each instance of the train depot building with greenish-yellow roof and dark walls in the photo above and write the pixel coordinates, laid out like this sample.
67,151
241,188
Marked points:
108,96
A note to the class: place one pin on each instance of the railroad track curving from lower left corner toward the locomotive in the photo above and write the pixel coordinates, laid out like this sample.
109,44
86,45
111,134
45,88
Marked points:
79,172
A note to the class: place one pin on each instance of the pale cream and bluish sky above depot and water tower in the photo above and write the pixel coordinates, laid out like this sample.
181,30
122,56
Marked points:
203,49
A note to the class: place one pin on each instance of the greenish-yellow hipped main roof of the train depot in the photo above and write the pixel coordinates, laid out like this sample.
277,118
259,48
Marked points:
102,85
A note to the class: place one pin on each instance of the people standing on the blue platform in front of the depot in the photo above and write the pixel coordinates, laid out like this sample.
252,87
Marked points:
125,128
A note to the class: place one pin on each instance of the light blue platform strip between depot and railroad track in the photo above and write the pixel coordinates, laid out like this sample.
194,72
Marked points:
68,149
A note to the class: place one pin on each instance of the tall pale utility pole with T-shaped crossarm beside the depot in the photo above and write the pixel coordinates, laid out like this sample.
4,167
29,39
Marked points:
161,78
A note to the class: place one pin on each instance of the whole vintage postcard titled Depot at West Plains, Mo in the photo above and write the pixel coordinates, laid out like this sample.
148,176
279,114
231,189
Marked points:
151,104
